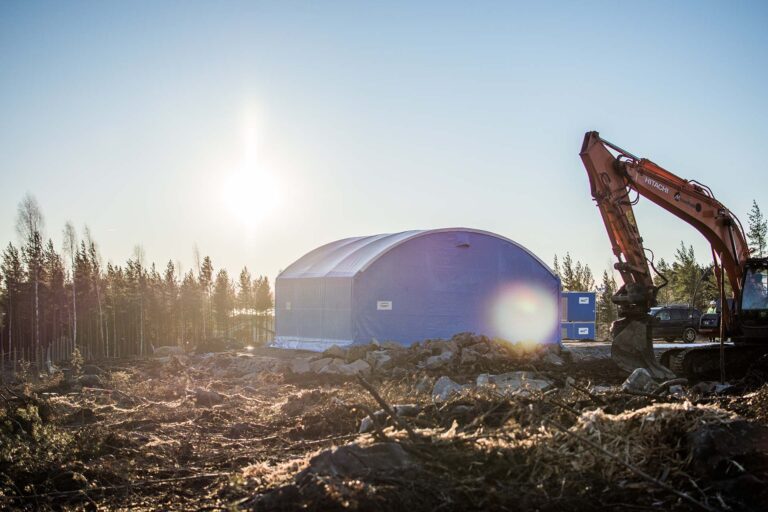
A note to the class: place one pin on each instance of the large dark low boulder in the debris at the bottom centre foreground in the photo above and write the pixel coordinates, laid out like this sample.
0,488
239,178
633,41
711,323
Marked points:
353,460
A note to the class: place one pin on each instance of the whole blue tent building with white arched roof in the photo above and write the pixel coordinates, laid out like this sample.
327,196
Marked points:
416,285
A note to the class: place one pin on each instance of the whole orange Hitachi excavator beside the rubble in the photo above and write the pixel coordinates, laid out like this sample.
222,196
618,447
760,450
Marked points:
617,180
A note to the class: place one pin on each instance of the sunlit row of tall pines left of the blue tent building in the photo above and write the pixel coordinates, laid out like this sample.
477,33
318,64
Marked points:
53,303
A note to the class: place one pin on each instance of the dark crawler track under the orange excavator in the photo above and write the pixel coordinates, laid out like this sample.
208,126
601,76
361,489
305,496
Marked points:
703,363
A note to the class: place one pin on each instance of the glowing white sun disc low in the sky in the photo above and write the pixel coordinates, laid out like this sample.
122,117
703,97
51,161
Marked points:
251,196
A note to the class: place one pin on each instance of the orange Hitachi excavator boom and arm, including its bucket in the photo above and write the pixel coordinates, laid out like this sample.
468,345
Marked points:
617,179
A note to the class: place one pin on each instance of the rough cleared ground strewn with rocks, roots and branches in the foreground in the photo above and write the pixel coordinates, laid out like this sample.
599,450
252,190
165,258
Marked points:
460,424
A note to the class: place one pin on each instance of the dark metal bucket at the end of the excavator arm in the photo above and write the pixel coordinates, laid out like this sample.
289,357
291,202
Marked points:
632,348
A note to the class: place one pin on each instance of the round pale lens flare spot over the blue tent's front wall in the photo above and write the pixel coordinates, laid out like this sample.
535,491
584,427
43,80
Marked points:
524,313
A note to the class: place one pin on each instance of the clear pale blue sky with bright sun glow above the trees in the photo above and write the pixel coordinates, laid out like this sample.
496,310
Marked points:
257,131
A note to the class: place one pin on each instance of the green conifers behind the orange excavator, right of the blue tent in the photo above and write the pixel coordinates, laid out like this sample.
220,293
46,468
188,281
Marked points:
687,281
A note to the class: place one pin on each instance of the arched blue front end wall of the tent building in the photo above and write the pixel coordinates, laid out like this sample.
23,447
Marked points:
444,283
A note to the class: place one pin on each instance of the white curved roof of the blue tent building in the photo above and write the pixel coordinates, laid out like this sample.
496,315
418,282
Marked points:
347,257
